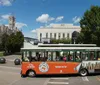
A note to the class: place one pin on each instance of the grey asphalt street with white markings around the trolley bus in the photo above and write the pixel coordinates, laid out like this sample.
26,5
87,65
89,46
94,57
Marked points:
10,75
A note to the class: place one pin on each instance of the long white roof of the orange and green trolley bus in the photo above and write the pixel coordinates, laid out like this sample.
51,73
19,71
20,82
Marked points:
58,47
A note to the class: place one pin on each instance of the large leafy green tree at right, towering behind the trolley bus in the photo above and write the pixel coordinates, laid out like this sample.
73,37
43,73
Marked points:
90,24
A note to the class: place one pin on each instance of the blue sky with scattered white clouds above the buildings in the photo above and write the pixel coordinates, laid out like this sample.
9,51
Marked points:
33,14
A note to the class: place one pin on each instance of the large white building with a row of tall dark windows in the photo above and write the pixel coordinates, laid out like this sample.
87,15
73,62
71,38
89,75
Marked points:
57,31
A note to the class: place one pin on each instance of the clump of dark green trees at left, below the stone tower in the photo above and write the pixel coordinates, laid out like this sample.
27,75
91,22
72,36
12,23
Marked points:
13,42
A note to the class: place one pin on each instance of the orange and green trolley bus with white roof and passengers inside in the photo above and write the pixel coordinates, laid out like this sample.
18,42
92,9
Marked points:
46,59
